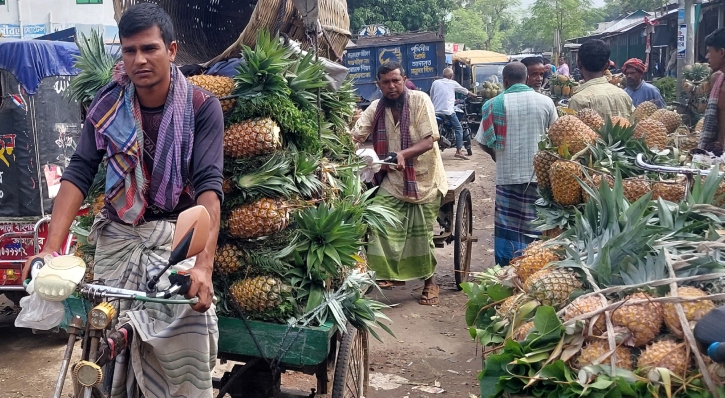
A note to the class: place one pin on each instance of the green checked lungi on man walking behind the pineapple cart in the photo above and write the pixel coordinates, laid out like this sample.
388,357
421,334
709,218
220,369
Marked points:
405,253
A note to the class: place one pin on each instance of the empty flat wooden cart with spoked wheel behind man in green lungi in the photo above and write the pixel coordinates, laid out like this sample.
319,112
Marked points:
457,227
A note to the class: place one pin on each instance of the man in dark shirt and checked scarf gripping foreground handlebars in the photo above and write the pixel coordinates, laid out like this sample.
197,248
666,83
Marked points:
161,159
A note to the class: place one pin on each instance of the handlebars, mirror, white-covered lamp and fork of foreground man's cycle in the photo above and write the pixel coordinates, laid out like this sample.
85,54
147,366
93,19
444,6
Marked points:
62,277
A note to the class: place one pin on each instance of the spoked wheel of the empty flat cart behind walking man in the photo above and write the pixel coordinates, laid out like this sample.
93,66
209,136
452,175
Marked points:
463,243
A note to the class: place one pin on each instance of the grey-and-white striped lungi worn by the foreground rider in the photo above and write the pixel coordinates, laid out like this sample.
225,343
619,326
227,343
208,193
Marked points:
174,348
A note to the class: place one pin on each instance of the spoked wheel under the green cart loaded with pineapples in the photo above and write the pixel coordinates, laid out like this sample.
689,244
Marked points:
351,367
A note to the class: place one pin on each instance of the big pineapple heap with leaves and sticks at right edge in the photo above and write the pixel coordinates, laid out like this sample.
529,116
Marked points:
605,303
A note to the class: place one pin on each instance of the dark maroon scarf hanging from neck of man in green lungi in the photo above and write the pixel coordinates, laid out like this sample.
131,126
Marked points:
380,144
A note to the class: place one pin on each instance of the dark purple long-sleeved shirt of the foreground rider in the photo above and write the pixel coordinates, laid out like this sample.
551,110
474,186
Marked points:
205,170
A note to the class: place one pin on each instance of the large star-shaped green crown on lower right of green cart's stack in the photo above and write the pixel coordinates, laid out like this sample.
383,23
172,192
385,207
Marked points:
327,242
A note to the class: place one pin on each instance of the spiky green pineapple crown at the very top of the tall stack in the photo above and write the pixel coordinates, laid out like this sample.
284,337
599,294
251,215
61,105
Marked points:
261,71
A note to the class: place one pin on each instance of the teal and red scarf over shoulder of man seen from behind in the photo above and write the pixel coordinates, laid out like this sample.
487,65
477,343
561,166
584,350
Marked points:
493,119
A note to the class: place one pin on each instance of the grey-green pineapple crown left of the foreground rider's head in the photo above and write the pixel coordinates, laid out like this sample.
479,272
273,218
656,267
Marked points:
96,68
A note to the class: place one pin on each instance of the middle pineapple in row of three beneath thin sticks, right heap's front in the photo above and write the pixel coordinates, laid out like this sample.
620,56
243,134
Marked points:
644,320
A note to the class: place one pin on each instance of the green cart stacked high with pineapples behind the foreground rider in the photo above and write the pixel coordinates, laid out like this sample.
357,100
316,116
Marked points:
290,267
